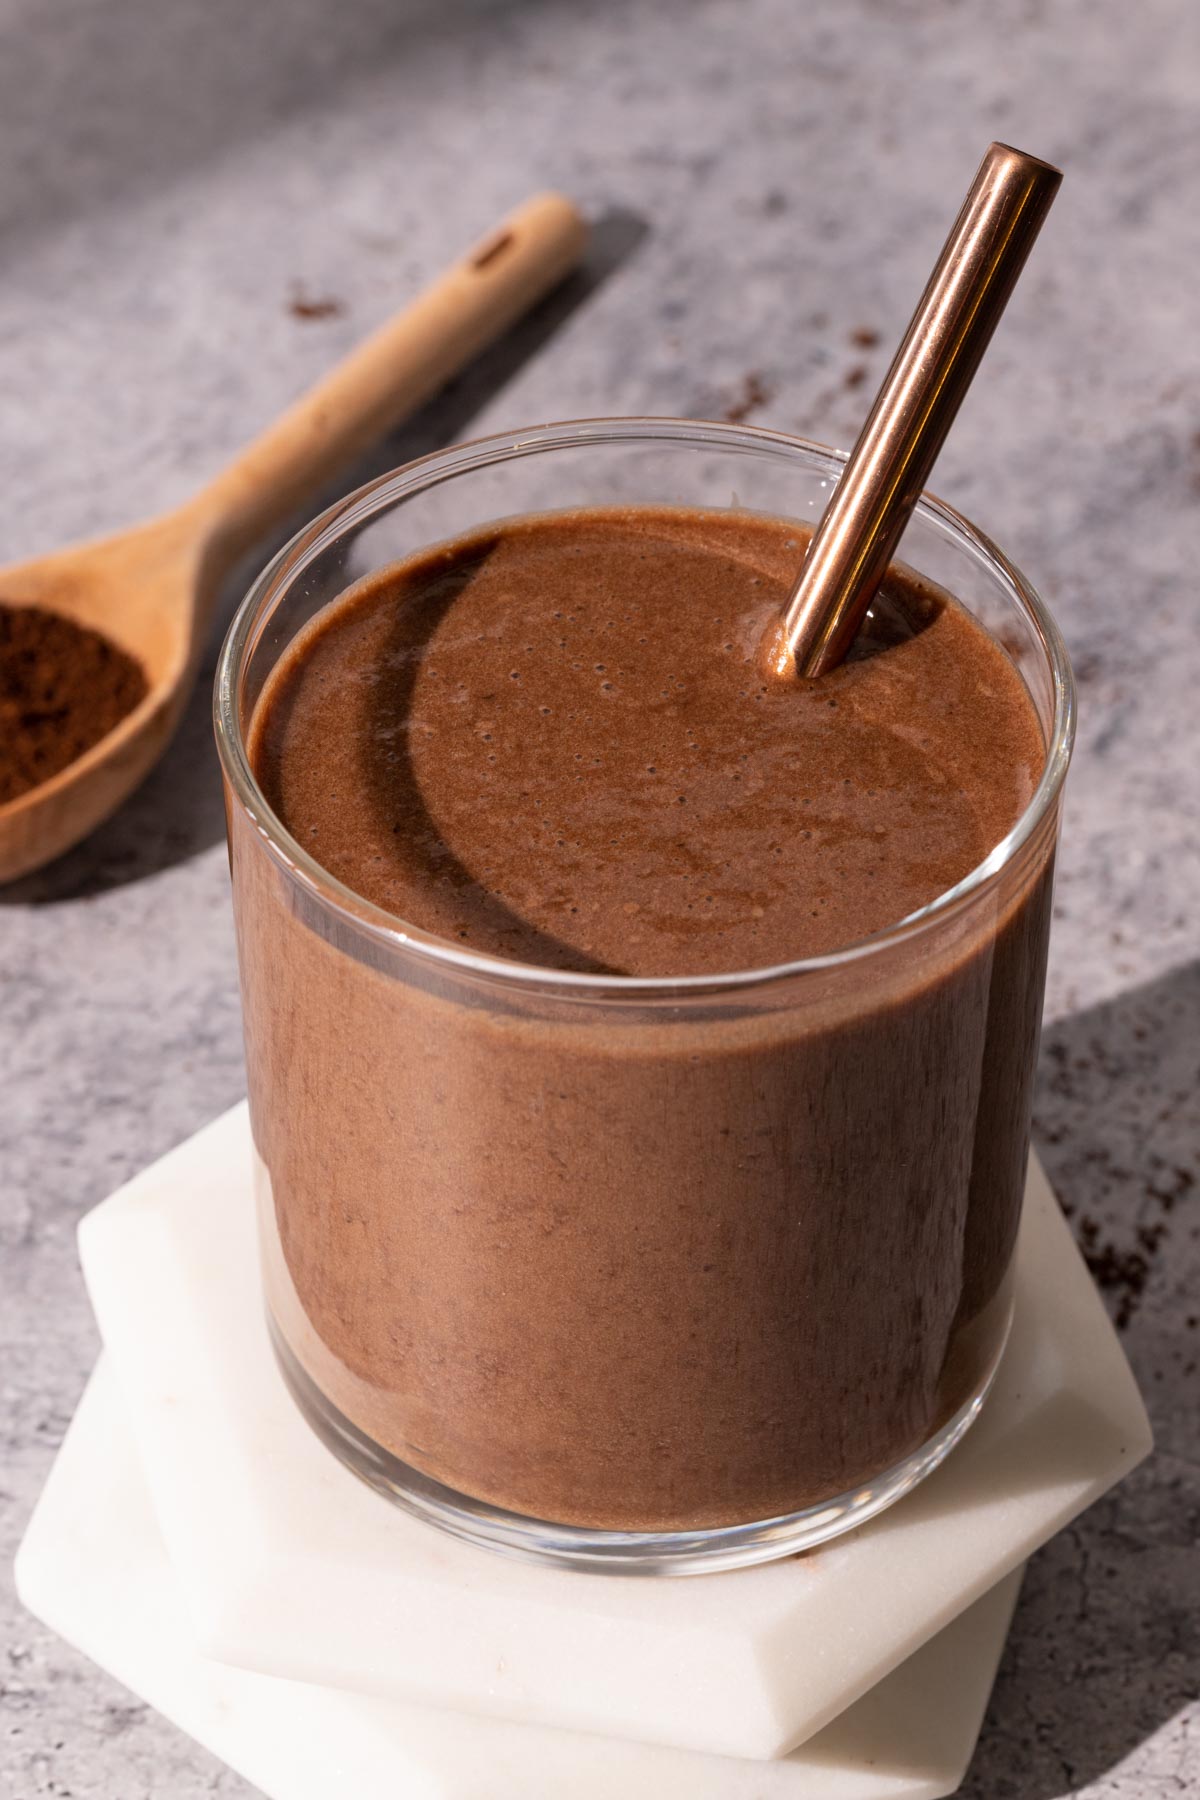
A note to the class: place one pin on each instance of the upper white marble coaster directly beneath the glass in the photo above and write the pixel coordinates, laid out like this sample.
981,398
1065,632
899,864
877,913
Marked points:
291,1567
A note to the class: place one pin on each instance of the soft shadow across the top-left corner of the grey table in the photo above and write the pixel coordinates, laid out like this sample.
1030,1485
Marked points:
105,105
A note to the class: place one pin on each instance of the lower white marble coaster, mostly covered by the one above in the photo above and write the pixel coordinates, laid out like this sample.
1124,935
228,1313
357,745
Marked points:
96,1570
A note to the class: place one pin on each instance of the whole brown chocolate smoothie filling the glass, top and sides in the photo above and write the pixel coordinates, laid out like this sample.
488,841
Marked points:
683,1261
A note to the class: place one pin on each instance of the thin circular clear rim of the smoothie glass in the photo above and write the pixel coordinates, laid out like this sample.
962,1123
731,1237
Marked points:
573,435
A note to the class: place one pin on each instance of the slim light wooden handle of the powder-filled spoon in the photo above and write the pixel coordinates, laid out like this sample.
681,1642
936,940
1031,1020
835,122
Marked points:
399,368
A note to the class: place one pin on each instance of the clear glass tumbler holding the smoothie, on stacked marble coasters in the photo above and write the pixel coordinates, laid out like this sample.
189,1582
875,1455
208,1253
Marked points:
650,1275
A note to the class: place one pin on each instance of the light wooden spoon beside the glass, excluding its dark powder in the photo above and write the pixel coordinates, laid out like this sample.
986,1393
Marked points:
152,589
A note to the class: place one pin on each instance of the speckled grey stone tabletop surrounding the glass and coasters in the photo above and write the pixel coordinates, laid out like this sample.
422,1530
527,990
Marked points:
773,181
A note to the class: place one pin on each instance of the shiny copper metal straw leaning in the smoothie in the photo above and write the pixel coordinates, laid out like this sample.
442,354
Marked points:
913,413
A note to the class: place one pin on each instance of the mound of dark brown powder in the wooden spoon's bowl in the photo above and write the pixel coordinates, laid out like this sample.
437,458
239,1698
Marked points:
62,690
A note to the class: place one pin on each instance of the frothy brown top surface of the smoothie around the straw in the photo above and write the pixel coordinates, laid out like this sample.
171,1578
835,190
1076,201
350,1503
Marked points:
551,744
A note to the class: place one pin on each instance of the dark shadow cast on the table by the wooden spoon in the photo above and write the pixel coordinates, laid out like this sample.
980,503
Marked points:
179,811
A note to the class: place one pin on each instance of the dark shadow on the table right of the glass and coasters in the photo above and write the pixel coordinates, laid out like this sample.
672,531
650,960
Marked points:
1106,1648
